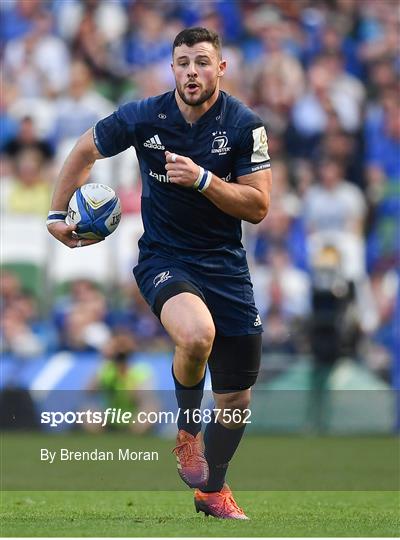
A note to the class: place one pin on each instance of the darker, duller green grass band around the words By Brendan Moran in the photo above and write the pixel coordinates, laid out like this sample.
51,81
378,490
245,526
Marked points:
262,463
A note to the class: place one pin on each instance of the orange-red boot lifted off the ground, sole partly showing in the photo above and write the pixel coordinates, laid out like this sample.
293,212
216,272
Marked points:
191,463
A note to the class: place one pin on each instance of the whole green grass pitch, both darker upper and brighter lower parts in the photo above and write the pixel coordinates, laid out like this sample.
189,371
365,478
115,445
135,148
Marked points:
328,486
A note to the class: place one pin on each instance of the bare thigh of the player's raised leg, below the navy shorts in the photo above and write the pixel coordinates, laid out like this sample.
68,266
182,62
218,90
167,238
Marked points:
187,320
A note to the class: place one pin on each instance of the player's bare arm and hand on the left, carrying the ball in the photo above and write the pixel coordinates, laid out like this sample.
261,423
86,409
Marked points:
73,174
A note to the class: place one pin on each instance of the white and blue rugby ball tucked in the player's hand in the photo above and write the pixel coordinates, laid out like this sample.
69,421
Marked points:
95,209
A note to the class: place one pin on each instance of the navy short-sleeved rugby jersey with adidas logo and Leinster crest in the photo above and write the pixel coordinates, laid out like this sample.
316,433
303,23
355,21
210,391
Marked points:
229,140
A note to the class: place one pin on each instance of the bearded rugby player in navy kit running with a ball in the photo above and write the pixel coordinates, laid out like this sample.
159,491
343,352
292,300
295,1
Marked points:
205,166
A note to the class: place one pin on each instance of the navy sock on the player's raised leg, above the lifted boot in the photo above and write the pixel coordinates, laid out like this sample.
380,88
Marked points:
188,398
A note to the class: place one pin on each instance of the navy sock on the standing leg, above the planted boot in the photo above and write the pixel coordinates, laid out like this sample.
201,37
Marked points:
220,445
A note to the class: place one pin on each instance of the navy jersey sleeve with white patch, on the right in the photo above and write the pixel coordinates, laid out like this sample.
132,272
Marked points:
253,153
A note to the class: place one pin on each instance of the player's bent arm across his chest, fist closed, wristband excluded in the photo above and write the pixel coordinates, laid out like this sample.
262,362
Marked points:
248,199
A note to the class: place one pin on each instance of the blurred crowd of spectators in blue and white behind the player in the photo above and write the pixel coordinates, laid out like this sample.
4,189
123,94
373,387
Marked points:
324,77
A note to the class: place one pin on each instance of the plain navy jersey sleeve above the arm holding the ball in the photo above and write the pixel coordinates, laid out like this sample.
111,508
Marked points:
115,133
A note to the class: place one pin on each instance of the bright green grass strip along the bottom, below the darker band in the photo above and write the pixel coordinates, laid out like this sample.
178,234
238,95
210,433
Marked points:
314,514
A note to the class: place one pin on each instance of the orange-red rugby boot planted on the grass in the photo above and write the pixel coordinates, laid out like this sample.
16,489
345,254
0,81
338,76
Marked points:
219,504
